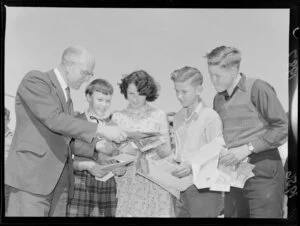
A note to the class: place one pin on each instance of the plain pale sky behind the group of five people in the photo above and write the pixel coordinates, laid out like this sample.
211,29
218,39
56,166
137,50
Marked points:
155,40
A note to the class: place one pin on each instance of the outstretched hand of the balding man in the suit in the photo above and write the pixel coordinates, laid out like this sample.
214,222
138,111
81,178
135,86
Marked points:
113,133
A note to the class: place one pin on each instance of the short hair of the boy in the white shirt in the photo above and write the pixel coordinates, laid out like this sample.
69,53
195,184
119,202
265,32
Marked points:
185,73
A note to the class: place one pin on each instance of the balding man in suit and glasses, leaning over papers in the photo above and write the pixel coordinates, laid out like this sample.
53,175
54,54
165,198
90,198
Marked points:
39,167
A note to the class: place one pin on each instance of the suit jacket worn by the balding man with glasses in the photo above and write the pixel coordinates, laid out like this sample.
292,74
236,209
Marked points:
44,128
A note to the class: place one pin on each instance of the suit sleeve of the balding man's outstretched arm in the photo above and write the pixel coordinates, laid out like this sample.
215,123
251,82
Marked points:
37,96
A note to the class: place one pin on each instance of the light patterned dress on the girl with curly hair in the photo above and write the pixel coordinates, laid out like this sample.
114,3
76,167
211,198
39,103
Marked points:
137,195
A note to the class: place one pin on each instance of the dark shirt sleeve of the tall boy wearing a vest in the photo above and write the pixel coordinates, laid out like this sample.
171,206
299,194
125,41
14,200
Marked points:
264,98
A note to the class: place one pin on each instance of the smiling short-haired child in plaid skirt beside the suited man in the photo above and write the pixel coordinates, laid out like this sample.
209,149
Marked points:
91,196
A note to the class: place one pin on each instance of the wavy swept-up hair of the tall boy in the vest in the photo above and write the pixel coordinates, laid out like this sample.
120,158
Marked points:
224,56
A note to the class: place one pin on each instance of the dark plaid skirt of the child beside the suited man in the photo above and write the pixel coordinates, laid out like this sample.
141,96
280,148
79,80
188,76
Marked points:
92,198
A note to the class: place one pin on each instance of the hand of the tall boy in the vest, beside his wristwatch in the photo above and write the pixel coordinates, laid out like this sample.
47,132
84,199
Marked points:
234,156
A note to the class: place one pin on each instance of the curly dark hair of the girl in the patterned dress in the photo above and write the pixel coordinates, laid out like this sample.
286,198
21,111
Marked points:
145,84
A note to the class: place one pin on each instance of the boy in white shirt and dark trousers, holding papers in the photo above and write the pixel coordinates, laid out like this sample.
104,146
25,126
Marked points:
195,125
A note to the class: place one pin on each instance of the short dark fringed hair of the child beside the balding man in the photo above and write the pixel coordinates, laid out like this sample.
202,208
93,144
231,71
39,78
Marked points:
99,85
